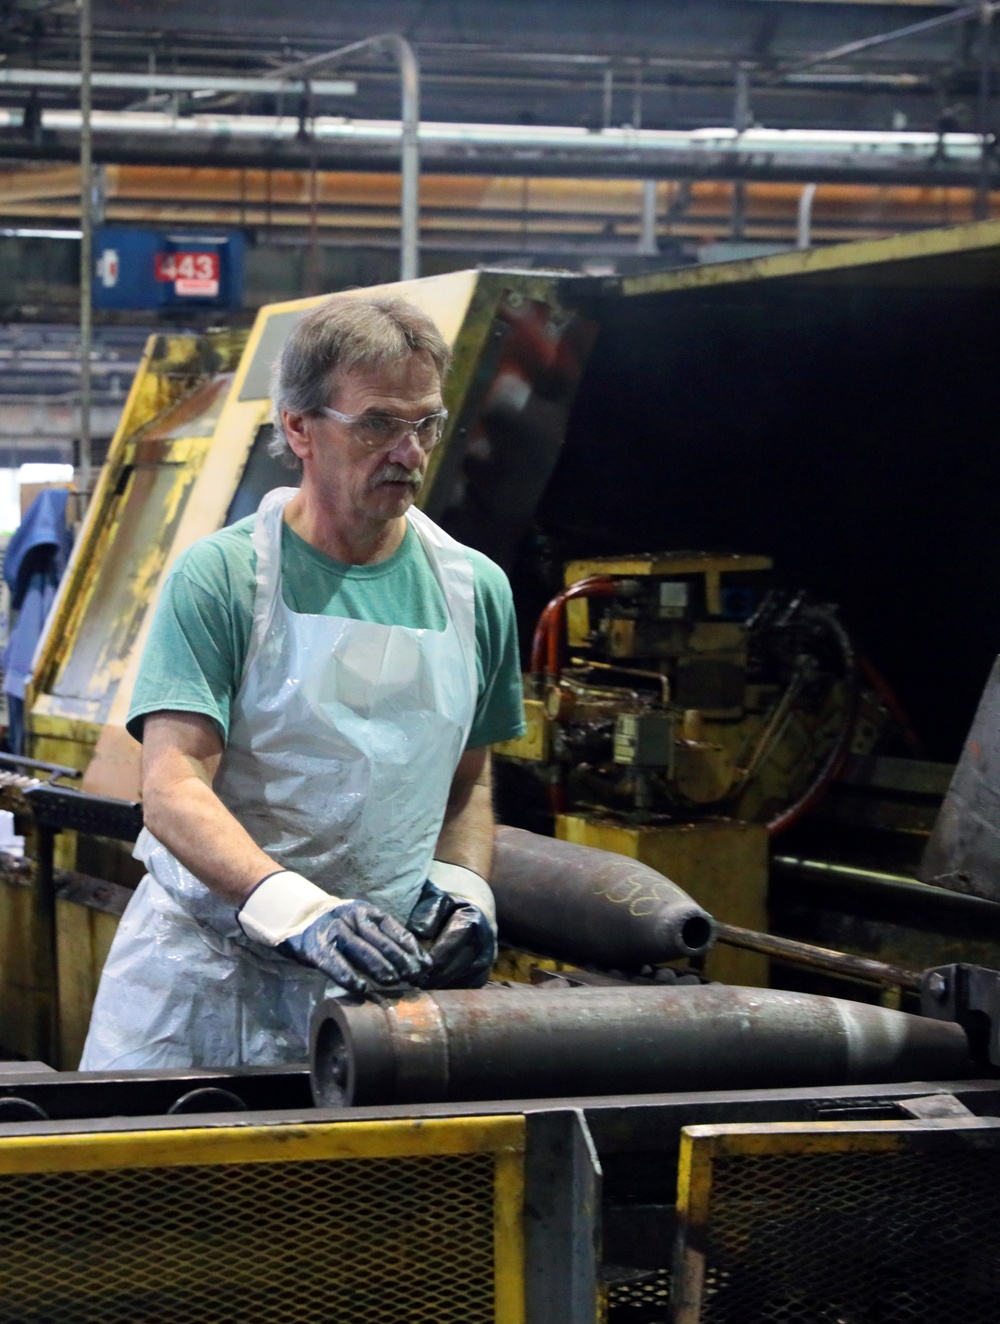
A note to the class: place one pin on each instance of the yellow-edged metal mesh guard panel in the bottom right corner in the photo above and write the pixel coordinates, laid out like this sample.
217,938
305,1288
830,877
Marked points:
866,1239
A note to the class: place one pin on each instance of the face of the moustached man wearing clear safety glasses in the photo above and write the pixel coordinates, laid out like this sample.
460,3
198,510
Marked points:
349,477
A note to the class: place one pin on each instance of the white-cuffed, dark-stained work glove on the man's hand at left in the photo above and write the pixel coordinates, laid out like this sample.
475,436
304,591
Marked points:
352,942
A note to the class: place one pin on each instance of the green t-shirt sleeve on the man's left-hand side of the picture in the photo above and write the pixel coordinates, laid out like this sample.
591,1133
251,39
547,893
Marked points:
190,663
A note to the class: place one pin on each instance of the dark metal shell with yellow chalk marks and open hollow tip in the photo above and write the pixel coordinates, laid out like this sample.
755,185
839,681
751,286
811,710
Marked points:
591,906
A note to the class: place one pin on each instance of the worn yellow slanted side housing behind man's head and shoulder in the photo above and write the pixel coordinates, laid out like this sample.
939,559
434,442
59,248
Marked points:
190,456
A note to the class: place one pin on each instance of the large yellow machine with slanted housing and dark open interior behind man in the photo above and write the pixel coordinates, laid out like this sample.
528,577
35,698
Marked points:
597,427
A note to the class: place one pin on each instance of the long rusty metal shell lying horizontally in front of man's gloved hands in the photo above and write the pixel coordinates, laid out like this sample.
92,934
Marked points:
520,1043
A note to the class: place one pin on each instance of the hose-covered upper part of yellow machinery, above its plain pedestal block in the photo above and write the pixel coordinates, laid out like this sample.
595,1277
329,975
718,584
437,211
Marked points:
684,686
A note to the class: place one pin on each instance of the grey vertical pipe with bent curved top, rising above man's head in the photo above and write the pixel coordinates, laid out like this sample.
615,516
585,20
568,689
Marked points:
409,132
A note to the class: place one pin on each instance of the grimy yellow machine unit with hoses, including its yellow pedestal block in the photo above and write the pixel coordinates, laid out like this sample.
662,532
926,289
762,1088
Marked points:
684,696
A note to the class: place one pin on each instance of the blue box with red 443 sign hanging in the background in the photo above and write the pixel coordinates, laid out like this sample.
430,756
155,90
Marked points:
156,269
